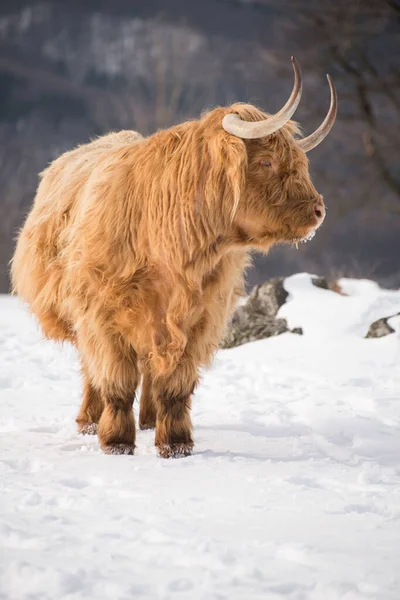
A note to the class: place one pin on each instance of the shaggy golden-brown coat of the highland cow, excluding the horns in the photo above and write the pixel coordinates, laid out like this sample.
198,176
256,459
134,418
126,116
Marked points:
135,251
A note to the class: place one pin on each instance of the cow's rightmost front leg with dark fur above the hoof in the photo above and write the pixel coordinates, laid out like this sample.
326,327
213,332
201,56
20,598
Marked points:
173,401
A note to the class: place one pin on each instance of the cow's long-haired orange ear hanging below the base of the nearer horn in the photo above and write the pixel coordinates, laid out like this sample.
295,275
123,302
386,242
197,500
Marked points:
228,165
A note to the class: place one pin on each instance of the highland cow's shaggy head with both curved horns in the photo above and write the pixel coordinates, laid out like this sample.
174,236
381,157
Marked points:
266,167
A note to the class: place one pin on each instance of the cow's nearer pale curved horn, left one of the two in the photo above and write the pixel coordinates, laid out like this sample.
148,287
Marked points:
233,124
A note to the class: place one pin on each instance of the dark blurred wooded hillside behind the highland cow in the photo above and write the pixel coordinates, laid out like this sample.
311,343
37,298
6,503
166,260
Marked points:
74,69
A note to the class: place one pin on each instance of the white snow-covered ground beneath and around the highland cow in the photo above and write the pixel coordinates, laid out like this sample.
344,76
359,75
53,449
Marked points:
293,490
